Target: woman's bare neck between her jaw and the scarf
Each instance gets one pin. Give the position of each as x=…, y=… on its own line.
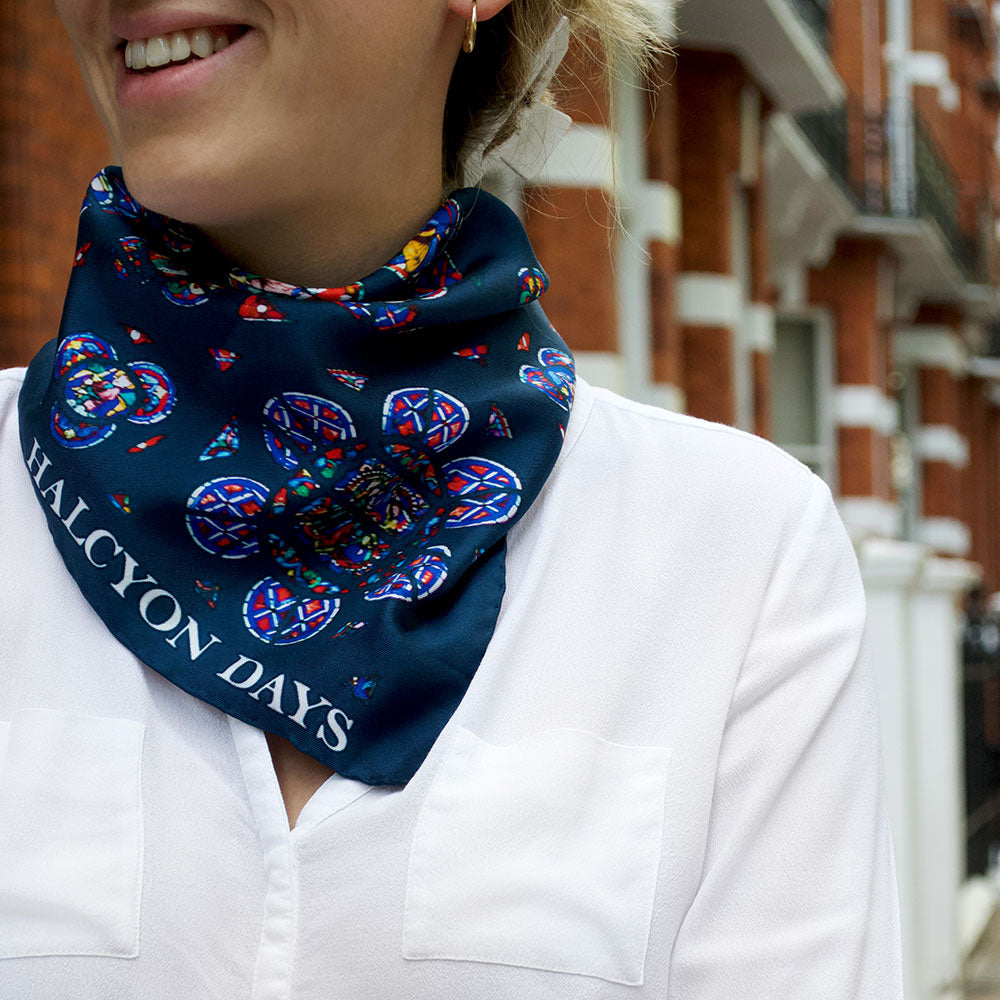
x=337, y=237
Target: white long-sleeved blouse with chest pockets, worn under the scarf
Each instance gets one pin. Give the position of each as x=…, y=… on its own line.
x=665, y=780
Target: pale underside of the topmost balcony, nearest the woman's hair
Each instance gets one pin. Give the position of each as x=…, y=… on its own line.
x=784, y=44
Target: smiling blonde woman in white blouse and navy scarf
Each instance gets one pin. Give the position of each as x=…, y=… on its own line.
x=356, y=648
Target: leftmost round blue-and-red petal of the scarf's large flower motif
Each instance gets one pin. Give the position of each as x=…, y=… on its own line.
x=223, y=514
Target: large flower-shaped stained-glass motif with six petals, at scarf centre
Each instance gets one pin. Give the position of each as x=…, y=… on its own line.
x=348, y=519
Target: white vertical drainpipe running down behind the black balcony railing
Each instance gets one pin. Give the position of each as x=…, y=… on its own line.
x=902, y=187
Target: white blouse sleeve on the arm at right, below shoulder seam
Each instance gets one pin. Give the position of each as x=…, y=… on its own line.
x=798, y=898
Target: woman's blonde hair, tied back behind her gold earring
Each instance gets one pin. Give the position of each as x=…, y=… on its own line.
x=622, y=36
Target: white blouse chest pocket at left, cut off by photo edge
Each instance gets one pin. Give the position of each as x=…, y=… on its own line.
x=70, y=835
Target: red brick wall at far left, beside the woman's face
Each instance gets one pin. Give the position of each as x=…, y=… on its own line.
x=52, y=145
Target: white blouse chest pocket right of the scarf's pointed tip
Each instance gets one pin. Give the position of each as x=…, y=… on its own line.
x=543, y=854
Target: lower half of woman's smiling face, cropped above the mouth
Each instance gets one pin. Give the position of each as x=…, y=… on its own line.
x=320, y=99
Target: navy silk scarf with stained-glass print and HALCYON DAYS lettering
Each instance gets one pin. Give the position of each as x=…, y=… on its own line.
x=293, y=502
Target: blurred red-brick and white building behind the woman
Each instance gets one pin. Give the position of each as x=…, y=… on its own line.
x=811, y=198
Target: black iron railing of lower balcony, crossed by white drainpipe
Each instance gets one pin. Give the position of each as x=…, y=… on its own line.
x=889, y=164
